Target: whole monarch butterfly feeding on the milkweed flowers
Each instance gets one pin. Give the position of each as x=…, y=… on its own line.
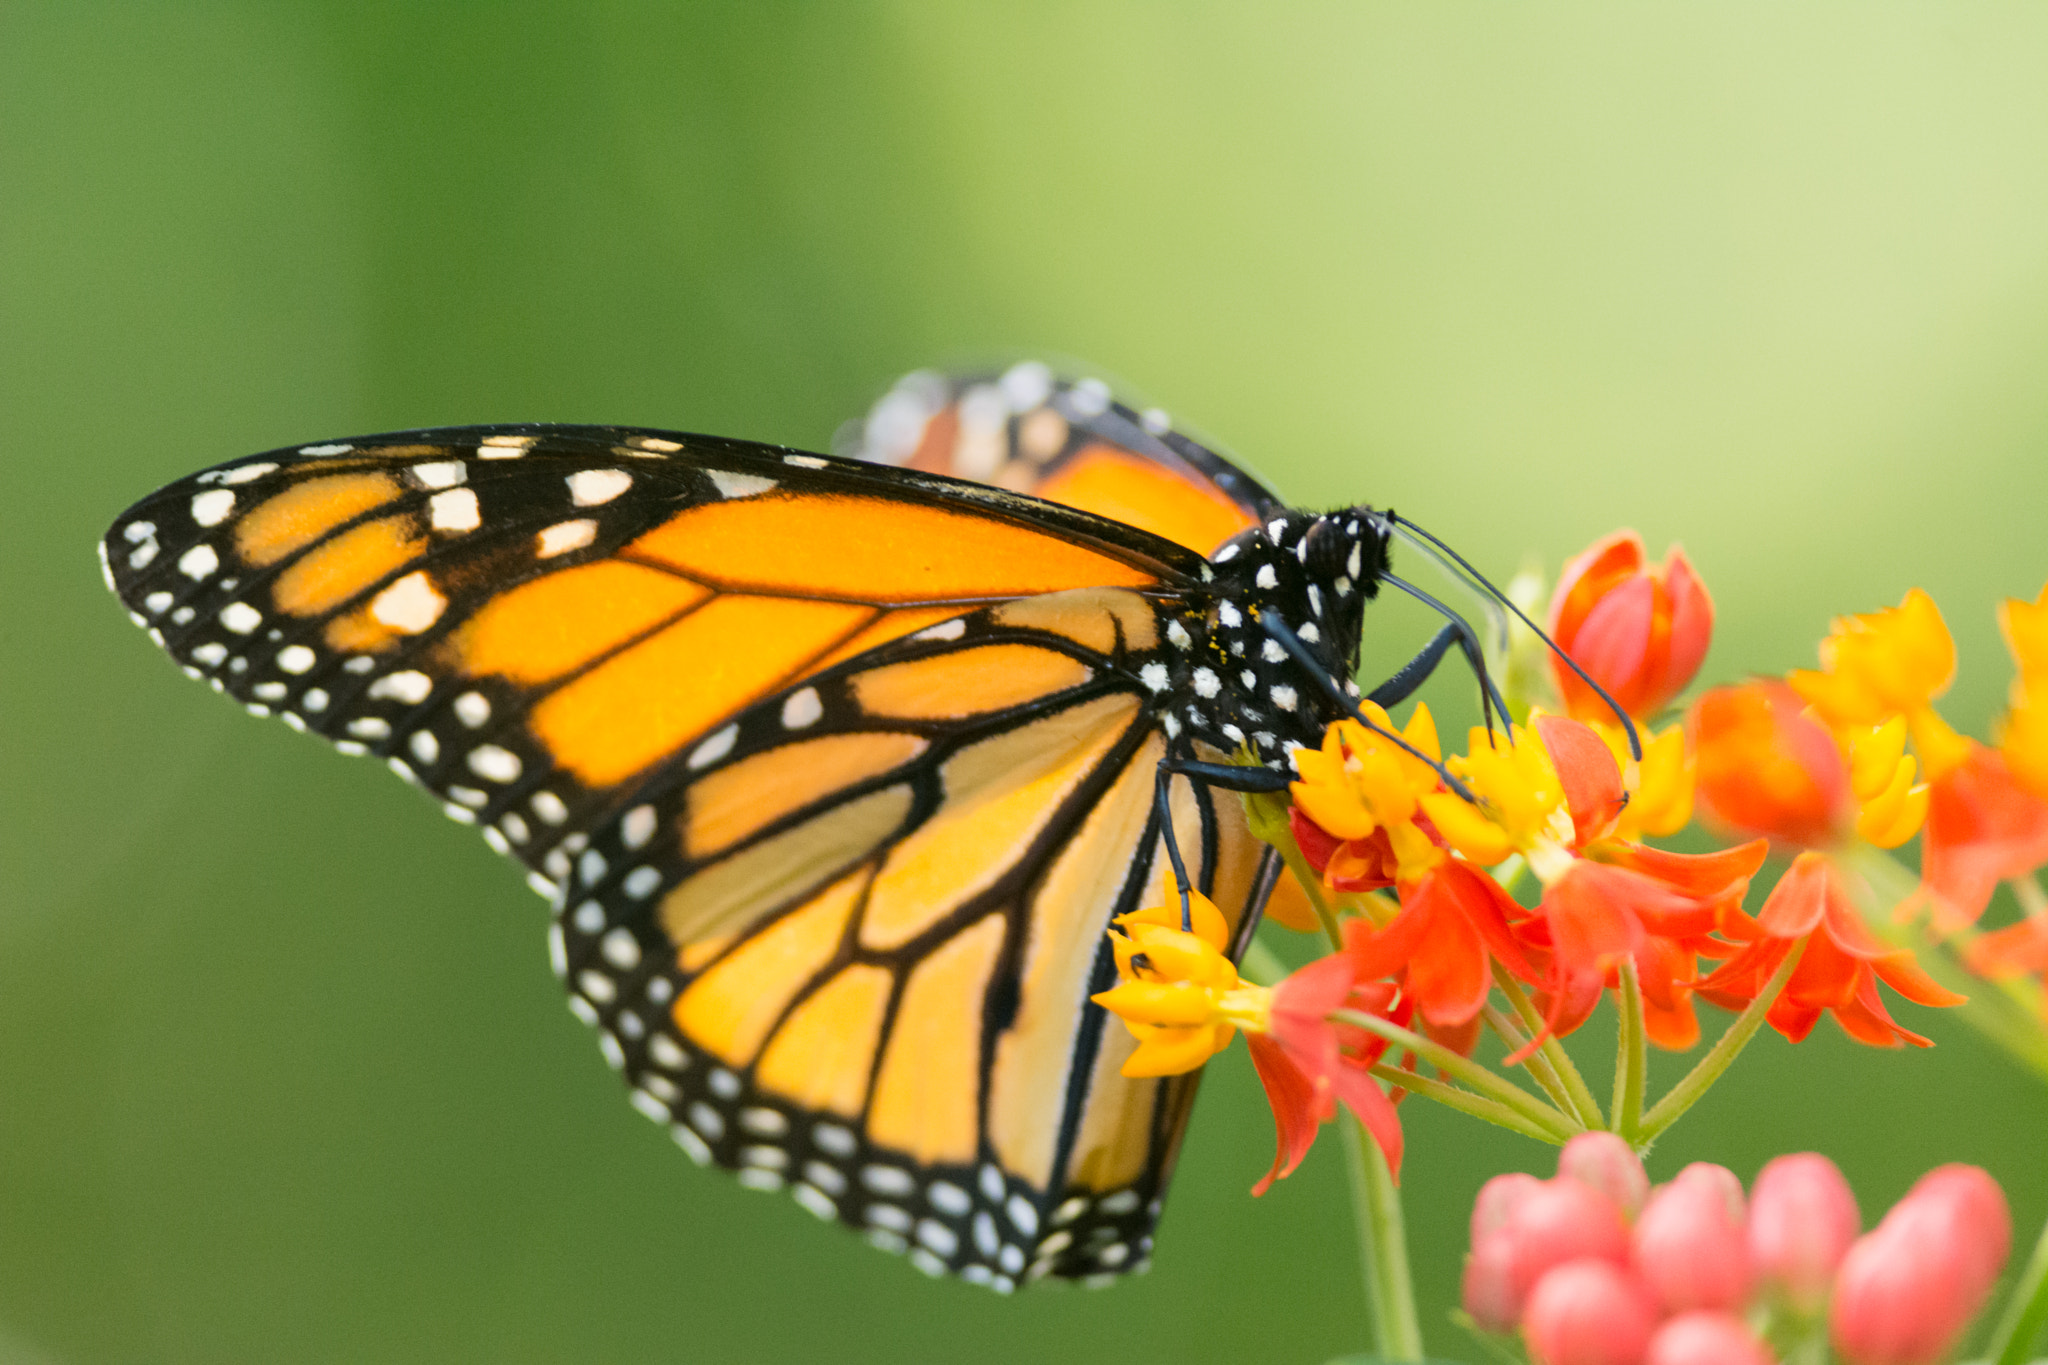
x=835, y=770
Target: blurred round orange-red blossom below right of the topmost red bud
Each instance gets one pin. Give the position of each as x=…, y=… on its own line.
x=1766, y=768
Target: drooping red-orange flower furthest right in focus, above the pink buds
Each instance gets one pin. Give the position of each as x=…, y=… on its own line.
x=1840, y=969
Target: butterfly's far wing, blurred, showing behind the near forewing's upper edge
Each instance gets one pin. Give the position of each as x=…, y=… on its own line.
x=1066, y=441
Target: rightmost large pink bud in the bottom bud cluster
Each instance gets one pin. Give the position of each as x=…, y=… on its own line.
x=1908, y=1290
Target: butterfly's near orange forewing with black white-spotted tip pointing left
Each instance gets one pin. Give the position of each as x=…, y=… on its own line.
x=527, y=621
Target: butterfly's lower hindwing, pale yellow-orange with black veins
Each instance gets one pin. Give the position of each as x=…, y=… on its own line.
x=882, y=1002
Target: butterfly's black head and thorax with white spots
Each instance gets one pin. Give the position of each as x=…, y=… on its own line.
x=1232, y=682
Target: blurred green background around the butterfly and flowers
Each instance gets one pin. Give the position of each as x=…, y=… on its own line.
x=284, y=1073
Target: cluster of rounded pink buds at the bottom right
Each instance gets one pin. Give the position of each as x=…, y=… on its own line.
x=1594, y=1268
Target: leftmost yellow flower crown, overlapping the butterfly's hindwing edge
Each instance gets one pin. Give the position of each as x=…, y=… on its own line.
x=1177, y=992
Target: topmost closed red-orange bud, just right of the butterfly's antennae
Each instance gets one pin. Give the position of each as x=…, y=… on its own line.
x=1637, y=629
